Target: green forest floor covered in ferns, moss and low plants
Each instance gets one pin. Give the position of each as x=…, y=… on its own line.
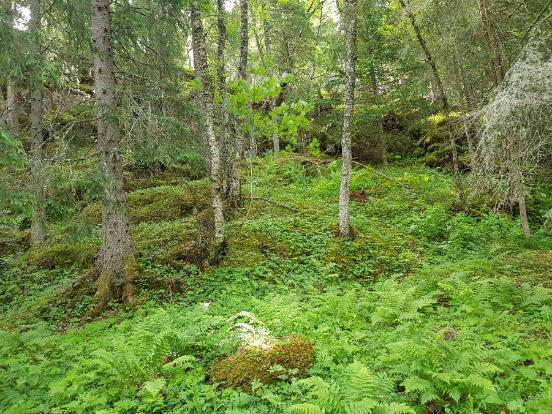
x=430, y=309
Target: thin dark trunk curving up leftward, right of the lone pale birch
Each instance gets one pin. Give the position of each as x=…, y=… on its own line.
x=443, y=99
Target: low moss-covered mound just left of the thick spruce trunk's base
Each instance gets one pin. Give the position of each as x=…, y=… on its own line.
x=57, y=255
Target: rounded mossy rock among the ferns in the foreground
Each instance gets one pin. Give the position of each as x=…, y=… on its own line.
x=292, y=356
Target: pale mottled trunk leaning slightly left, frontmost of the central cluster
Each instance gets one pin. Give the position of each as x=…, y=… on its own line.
x=202, y=71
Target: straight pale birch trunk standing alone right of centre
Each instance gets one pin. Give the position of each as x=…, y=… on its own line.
x=345, y=230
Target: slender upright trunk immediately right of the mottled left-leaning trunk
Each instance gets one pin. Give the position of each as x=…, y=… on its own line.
x=227, y=147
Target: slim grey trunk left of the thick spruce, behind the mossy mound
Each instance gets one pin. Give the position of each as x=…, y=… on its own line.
x=38, y=223
